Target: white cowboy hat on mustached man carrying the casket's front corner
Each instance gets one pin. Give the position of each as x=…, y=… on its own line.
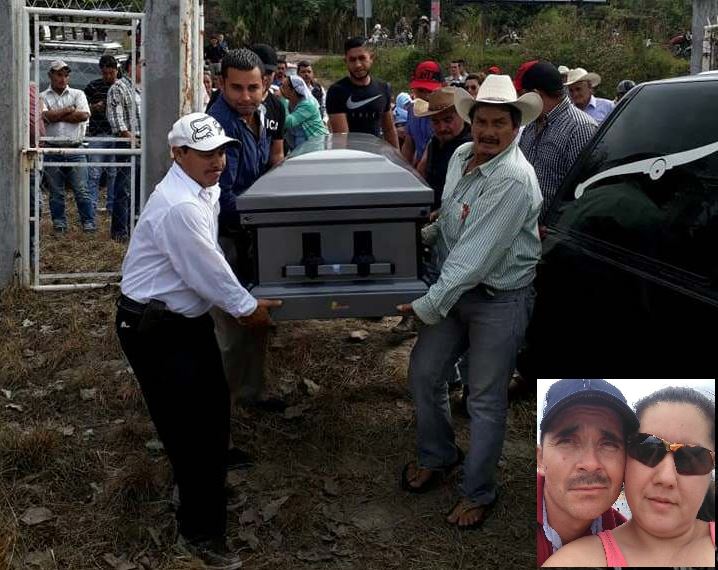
x=499, y=90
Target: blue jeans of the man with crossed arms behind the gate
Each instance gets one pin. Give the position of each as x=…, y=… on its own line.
x=57, y=178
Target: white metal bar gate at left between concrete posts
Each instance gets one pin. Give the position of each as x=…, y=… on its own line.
x=73, y=260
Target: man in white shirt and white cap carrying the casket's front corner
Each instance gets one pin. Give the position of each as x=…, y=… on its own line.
x=173, y=273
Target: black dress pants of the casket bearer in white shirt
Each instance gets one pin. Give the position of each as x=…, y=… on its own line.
x=179, y=369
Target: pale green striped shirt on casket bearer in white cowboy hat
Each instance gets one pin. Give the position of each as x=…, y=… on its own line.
x=486, y=232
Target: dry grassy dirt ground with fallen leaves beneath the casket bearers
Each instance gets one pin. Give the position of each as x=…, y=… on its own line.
x=84, y=483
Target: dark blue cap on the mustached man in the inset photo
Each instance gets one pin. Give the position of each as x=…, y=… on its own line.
x=597, y=392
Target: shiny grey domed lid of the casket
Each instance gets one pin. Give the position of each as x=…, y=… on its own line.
x=338, y=171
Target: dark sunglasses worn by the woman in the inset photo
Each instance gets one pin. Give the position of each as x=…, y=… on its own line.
x=651, y=449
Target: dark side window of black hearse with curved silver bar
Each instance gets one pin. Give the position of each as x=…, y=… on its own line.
x=650, y=185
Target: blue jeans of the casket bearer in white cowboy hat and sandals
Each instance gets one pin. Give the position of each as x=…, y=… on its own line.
x=491, y=327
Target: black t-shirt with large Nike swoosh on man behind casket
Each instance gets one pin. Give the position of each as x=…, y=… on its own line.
x=364, y=106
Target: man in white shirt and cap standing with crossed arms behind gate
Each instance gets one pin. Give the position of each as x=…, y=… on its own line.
x=66, y=114
